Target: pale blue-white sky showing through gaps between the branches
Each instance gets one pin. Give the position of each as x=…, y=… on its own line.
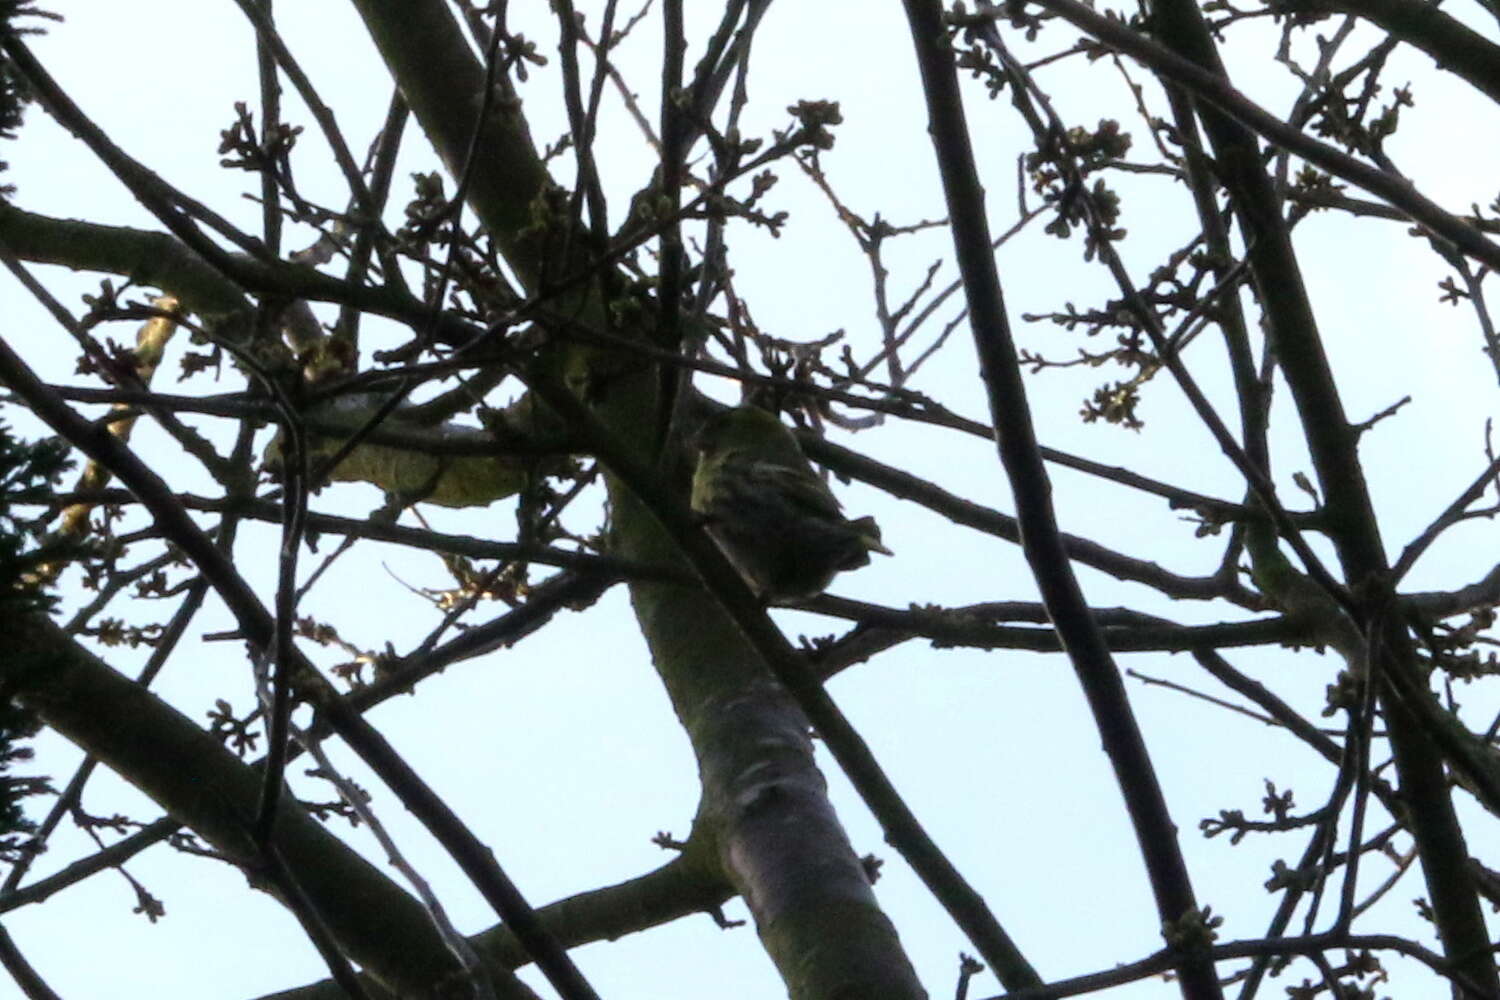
x=563, y=753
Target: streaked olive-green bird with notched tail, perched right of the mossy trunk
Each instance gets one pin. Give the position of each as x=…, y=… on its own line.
x=769, y=510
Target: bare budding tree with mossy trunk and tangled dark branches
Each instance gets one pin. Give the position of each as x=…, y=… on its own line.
x=532, y=331
